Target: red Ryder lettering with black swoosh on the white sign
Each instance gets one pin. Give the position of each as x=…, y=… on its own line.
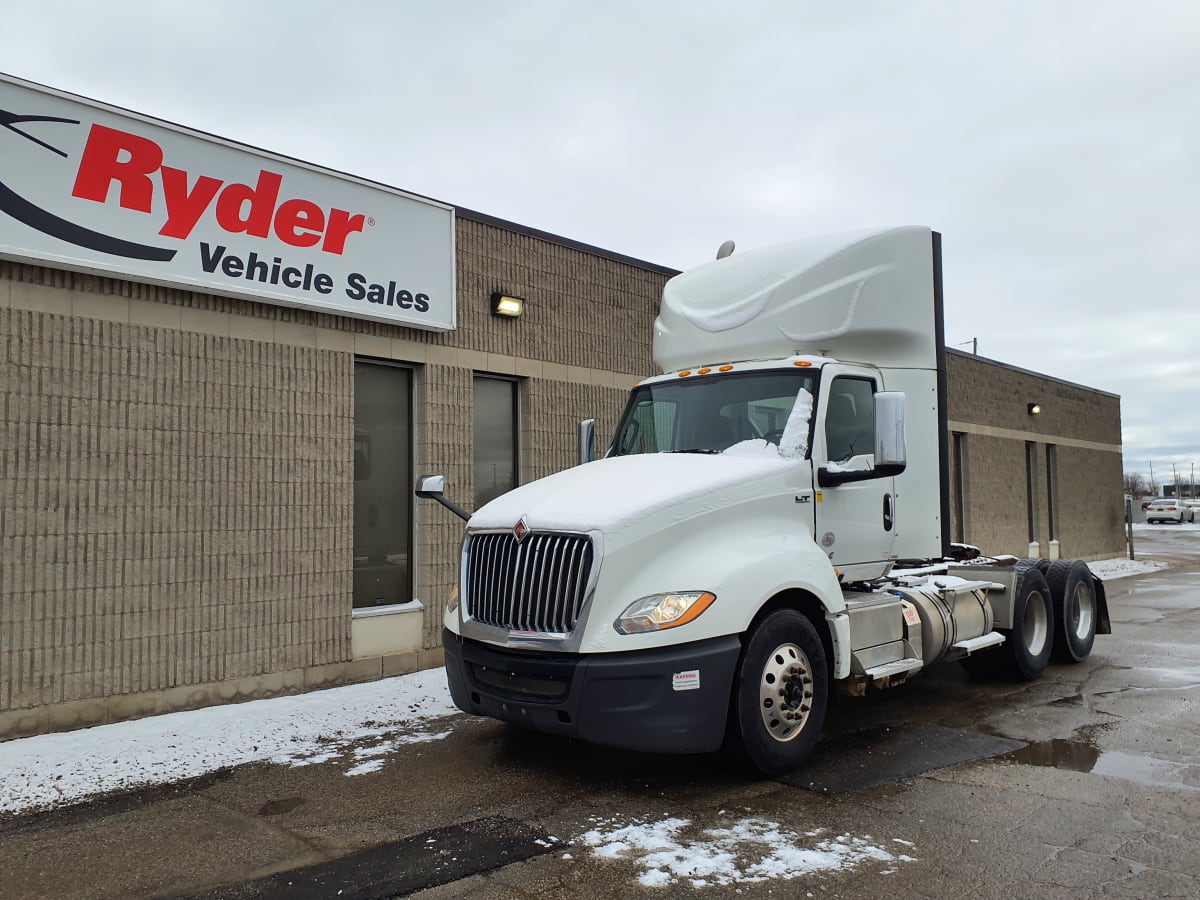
x=136, y=167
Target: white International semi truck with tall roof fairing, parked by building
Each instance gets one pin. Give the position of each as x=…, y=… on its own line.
x=770, y=523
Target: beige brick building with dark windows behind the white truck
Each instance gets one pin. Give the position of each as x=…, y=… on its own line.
x=207, y=499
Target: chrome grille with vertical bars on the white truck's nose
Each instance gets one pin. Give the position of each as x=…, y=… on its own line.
x=536, y=585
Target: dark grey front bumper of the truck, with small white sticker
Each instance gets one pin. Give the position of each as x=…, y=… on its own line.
x=669, y=700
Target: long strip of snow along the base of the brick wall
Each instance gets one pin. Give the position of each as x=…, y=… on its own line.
x=359, y=724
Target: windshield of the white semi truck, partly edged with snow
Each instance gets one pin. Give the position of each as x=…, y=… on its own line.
x=711, y=413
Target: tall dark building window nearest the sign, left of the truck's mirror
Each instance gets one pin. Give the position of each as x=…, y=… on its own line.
x=383, y=476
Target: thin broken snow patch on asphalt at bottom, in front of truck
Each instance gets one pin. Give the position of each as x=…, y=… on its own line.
x=671, y=851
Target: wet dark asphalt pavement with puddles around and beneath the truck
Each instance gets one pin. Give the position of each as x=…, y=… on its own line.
x=1083, y=784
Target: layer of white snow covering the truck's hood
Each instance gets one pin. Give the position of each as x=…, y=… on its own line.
x=611, y=494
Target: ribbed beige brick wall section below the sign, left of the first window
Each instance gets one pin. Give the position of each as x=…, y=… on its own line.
x=176, y=508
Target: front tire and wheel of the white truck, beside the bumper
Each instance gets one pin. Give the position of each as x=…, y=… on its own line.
x=781, y=694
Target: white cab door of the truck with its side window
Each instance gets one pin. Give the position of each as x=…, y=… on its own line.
x=855, y=521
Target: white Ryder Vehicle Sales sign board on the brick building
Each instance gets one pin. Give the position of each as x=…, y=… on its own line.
x=94, y=189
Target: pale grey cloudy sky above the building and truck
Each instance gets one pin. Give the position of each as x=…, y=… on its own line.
x=1054, y=145
